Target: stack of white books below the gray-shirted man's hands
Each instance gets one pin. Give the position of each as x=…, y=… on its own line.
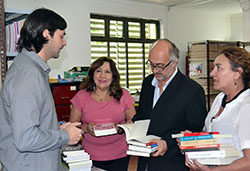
x=76, y=159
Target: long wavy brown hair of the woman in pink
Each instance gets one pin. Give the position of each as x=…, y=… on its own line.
x=115, y=89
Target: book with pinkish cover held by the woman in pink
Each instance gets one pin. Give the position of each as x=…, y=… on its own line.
x=104, y=129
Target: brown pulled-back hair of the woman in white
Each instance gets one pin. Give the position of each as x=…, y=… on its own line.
x=239, y=58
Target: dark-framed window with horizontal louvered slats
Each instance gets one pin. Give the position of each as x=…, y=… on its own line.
x=127, y=42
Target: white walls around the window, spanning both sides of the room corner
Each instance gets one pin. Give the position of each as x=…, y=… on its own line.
x=179, y=25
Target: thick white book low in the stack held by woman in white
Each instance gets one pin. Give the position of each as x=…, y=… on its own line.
x=221, y=153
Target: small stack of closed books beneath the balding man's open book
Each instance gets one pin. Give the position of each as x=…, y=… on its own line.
x=142, y=149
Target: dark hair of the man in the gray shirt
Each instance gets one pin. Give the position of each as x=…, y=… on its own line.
x=31, y=36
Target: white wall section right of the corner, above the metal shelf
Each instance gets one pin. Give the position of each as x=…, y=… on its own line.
x=189, y=25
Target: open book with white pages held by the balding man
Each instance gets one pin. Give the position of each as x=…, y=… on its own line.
x=136, y=133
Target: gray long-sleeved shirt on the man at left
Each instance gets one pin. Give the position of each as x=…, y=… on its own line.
x=29, y=135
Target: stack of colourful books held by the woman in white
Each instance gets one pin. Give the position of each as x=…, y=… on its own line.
x=209, y=148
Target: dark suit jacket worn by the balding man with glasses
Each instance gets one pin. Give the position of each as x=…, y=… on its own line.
x=182, y=106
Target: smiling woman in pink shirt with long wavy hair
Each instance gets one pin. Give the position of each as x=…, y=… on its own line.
x=102, y=100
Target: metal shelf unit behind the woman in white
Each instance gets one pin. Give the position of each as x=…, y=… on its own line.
x=200, y=58
